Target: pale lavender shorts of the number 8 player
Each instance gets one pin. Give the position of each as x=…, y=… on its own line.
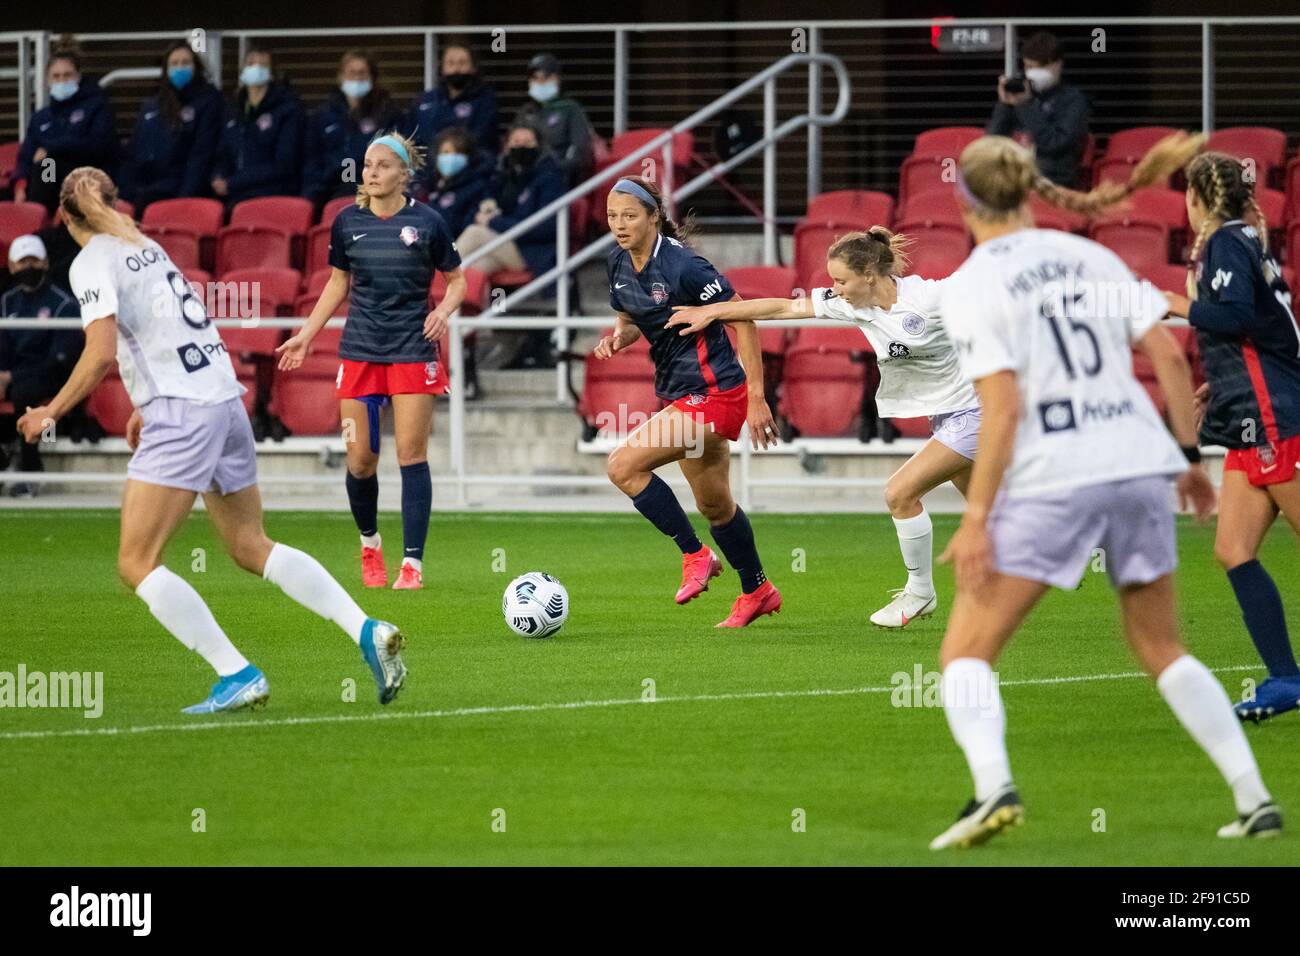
x=201, y=448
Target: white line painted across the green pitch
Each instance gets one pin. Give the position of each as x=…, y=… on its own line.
x=532, y=708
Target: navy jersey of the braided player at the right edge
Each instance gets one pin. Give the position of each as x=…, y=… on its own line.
x=1249, y=340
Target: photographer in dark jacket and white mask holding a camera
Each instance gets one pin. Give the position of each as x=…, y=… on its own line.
x=1048, y=115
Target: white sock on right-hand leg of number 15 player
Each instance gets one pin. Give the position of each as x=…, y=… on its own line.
x=1203, y=707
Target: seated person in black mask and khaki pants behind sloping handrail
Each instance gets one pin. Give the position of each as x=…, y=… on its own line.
x=527, y=180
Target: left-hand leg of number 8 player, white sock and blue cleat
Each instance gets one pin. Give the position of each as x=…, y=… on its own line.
x=150, y=517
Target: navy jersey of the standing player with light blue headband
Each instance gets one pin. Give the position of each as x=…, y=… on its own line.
x=392, y=262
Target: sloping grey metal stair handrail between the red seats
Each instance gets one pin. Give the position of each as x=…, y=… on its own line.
x=560, y=209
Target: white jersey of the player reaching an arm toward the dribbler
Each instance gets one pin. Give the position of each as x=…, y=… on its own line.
x=920, y=373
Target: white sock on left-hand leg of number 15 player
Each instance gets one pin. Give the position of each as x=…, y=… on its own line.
x=974, y=710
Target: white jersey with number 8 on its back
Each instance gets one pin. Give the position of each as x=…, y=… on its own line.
x=166, y=343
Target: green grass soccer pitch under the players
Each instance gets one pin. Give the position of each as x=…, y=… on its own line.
x=721, y=769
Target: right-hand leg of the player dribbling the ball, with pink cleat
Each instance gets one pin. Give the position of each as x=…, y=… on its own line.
x=709, y=473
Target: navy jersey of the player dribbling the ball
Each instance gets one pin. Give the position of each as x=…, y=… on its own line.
x=677, y=276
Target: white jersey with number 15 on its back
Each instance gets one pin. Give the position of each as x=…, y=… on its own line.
x=1061, y=313
